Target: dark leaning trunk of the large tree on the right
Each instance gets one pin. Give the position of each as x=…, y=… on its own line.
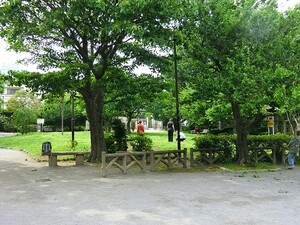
x=242, y=143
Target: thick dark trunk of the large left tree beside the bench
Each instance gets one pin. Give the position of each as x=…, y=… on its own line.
x=94, y=107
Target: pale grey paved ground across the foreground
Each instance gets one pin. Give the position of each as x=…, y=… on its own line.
x=34, y=194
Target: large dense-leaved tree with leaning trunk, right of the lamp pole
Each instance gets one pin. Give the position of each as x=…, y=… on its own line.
x=231, y=58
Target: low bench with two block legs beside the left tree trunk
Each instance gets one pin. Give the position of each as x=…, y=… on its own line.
x=52, y=156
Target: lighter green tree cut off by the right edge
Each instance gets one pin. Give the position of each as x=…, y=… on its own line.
x=288, y=94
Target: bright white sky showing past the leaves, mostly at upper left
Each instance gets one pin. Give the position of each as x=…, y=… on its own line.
x=7, y=57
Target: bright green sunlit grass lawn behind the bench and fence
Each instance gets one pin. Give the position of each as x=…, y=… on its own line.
x=32, y=142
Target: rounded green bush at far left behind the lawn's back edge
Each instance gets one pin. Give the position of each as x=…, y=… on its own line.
x=23, y=118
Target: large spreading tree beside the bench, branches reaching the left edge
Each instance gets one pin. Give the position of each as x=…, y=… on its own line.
x=86, y=41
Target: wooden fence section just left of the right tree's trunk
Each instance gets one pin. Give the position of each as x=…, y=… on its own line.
x=209, y=155
